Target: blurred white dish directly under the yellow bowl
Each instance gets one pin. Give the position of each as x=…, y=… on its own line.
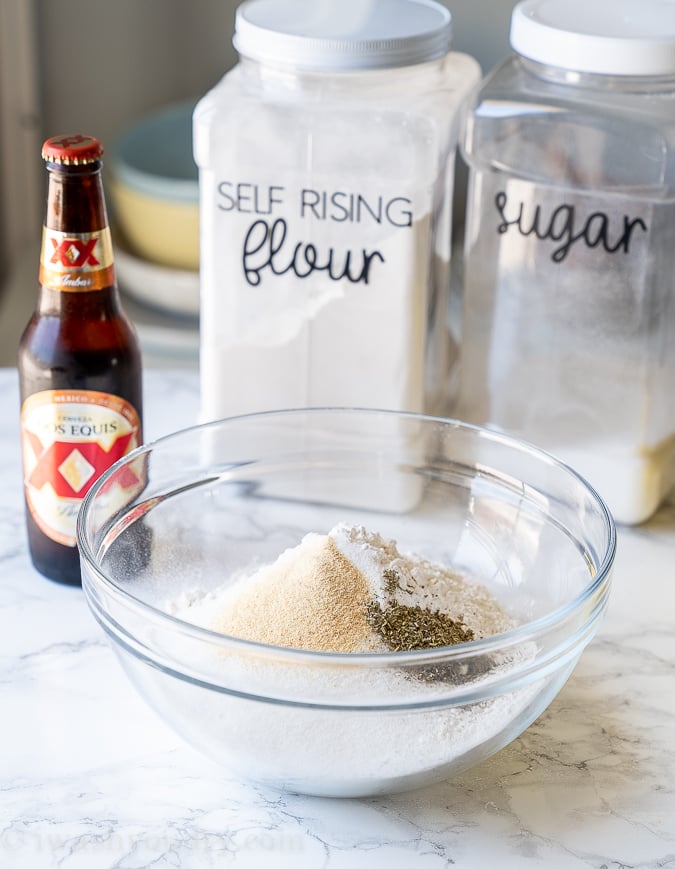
x=173, y=290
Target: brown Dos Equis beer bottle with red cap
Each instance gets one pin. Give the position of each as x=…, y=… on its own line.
x=79, y=360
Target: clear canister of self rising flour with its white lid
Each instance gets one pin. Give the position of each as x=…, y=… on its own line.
x=326, y=163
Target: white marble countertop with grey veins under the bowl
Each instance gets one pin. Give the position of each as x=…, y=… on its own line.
x=90, y=777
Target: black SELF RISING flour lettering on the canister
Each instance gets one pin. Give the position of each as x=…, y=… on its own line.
x=269, y=246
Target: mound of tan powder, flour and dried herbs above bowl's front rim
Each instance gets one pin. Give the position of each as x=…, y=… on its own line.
x=351, y=591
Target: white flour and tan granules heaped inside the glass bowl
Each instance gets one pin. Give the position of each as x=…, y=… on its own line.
x=343, y=750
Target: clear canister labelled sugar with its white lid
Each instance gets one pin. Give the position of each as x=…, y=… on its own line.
x=569, y=266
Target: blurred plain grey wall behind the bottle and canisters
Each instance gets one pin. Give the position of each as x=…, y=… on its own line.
x=101, y=65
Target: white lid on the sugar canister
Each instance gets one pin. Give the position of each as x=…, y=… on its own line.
x=610, y=37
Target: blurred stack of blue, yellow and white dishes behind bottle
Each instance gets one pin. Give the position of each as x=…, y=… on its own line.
x=154, y=194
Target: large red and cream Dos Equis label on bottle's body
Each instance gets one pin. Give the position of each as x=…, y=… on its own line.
x=70, y=437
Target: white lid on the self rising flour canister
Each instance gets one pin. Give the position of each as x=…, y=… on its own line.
x=342, y=34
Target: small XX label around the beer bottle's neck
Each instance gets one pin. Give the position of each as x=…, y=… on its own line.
x=76, y=262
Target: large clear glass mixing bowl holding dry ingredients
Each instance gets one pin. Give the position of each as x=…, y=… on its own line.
x=222, y=498
